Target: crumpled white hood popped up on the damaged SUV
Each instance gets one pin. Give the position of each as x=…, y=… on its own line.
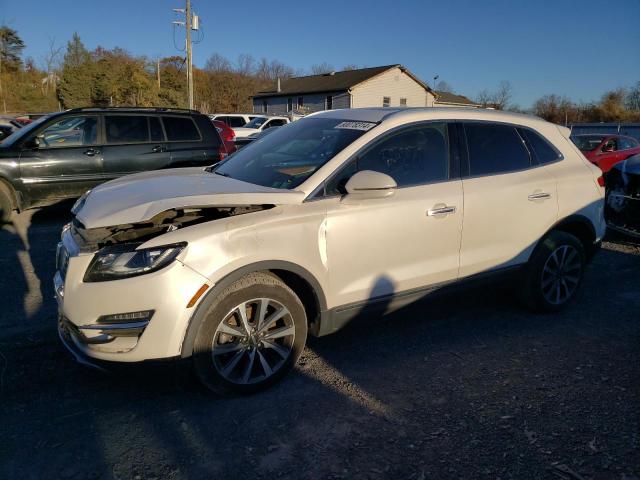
x=137, y=198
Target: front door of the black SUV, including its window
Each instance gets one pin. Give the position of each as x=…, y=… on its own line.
x=68, y=160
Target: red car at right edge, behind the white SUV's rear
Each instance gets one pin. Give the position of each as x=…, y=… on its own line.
x=606, y=150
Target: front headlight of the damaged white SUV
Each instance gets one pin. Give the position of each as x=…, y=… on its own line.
x=124, y=261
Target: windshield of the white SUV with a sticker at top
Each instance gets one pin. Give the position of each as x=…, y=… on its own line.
x=291, y=154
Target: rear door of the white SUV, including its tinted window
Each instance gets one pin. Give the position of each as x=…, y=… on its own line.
x=509, y=201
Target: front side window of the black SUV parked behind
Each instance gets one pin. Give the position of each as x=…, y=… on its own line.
x=73, y=131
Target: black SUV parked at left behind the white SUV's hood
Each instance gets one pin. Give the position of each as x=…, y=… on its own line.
x=64, y=154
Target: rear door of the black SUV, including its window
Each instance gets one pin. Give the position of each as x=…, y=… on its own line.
x=133, y=143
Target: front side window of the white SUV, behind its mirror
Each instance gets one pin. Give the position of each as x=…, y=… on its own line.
x=413, y=156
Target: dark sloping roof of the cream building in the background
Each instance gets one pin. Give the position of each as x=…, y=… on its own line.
x=330, y=82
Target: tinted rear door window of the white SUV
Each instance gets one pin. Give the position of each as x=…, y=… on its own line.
x=495, y=149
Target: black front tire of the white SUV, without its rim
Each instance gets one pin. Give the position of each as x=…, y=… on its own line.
x=202, y=361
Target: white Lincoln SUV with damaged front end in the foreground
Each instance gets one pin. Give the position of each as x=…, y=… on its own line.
x=323, y=221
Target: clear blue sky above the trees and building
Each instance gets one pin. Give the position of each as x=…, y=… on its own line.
x=579, y=48
